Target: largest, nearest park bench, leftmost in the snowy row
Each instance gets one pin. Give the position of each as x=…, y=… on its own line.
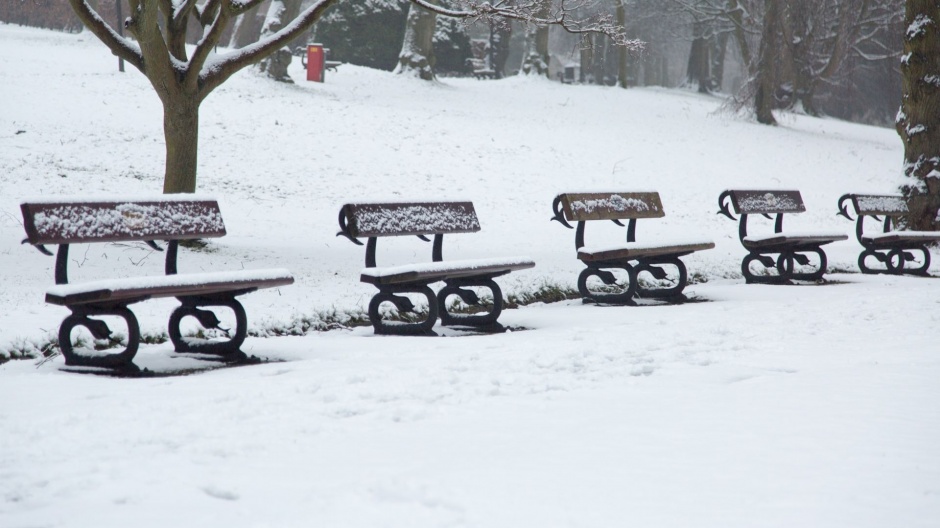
x=170, y=218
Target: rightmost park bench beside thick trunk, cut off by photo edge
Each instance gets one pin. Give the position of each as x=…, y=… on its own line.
x=893, y=248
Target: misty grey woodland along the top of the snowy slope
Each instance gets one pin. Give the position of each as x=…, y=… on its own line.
x=821, y=57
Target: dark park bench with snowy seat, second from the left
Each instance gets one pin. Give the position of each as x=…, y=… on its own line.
x=374, y=220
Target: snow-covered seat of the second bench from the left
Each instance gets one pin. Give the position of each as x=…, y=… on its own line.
x=437, y=271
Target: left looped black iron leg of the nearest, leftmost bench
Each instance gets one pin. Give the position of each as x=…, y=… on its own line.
x=99, y=329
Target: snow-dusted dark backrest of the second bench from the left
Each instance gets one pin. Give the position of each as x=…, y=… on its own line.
x=403, y=218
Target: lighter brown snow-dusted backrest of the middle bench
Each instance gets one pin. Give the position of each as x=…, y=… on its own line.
x=611, y=206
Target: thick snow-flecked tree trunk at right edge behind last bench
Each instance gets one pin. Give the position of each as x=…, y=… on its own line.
x=918, y=120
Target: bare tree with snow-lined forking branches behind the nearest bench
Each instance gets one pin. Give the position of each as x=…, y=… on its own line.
x=183, y=79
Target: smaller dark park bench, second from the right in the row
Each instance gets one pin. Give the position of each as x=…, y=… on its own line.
x=791, y=247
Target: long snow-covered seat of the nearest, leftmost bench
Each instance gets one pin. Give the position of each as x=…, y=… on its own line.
x=141, y=288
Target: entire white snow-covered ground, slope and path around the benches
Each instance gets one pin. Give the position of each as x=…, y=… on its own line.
x=782, y=406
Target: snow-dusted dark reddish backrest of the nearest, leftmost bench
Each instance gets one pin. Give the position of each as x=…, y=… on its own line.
x=69, y=221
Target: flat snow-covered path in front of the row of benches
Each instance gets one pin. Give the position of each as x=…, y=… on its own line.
x=766, y=406
